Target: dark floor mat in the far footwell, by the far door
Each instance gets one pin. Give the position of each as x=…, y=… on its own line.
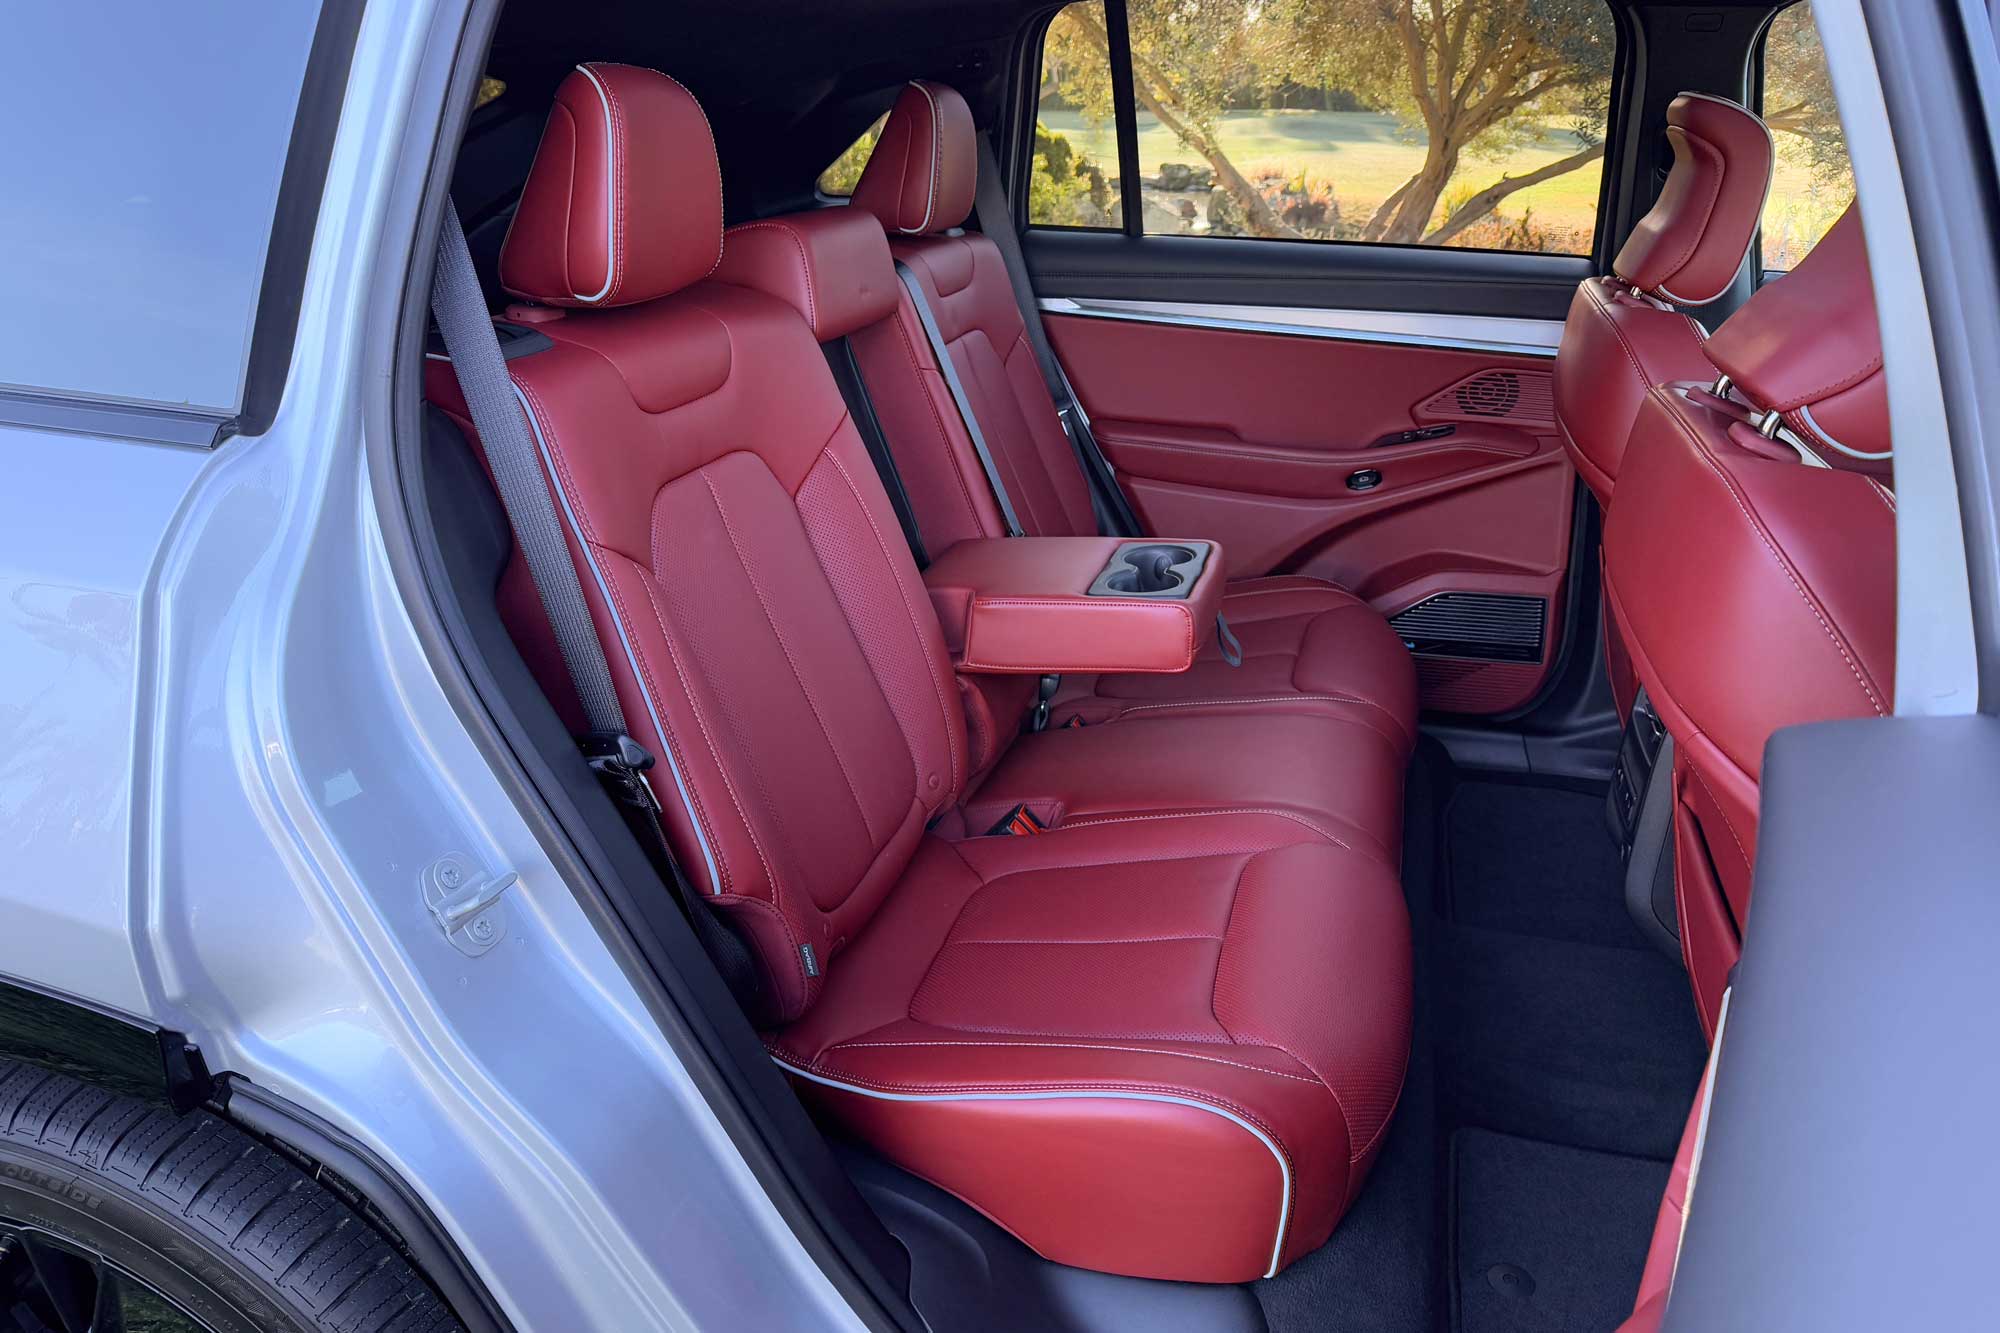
x=1537, y=862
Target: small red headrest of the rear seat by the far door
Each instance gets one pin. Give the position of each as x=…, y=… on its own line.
x=923, y=173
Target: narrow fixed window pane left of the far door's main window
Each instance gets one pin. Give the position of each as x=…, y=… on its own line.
x=1075, y=179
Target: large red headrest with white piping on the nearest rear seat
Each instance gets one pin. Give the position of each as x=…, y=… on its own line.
x=625, y=197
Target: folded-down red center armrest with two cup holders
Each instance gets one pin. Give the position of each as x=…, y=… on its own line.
x=1037, y=605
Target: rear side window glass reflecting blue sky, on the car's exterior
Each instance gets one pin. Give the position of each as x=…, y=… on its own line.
x=141, y=199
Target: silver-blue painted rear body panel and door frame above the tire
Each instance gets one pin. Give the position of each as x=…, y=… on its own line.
x=225, y=768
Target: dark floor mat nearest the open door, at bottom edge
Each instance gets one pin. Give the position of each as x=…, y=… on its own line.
x=1547, y=1238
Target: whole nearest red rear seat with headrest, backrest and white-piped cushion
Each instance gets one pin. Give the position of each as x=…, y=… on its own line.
x=1161, y=1044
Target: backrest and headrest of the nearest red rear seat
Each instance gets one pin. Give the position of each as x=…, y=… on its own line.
x=771, y=633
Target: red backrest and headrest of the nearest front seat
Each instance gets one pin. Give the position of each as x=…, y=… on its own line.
x=1753, y=589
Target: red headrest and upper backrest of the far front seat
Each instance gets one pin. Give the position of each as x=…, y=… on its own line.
x=1625, y=335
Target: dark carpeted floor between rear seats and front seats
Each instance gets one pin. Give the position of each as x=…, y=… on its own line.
x=1553, y=1070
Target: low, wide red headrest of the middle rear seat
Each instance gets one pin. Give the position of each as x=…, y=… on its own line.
x=831, y=265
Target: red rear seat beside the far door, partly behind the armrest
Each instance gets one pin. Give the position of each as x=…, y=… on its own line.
x=1301, y=637
